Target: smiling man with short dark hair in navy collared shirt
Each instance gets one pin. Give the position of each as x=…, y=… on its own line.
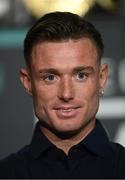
x=65, y=78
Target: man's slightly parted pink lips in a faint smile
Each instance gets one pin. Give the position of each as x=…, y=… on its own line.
x=64, y=112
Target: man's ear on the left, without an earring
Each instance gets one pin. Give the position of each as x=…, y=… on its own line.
x=26, y=80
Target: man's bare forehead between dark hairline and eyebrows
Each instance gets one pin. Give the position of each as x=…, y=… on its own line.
x=69, y=52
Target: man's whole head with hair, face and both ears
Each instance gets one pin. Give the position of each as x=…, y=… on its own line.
x=64, y=74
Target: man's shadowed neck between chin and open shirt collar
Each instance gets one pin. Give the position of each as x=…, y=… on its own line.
x=65, y=144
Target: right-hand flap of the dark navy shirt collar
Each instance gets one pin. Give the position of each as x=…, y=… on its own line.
x=97, y=141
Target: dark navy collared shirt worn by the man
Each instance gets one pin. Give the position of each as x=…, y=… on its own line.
x=94, y=157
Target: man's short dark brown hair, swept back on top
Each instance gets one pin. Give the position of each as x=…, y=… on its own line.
x=59, y=26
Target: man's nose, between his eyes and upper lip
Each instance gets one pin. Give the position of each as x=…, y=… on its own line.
x=66, y=90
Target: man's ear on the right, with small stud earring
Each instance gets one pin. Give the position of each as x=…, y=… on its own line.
x=103, y=76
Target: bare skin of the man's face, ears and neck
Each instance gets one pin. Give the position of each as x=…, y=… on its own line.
x=65, y=81
